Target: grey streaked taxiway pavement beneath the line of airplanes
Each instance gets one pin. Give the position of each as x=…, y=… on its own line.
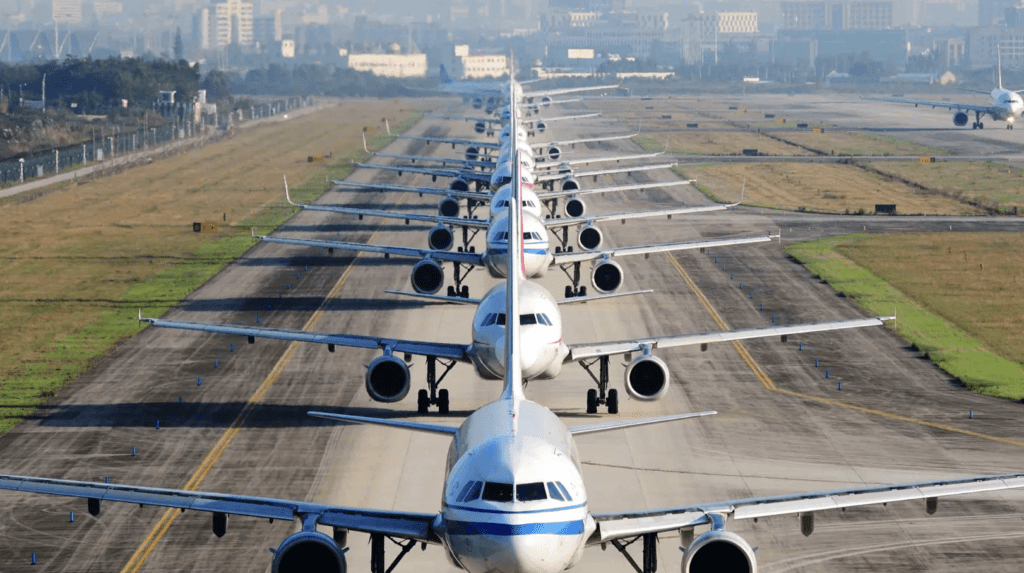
x=783, y=426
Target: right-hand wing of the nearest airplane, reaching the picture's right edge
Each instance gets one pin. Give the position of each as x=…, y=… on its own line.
x=620, y=525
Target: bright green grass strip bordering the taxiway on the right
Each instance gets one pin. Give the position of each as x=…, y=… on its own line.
x=946, y=344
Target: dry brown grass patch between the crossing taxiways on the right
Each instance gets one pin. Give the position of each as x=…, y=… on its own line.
x=834, y=189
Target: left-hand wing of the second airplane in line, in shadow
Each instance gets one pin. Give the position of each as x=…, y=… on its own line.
x=458, y=352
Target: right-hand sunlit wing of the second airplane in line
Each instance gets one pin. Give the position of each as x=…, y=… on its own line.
x=582, y=351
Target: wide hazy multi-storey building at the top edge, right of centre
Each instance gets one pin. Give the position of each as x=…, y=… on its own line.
x=851, y=15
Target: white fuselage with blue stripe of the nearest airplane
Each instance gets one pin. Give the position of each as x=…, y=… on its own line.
x=515, y=501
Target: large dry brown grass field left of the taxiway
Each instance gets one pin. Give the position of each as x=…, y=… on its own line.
x=68, y=258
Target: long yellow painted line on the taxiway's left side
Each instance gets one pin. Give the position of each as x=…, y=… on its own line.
x=159, y=531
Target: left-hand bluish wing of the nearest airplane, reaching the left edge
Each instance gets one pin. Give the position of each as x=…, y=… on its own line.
x=399, y=524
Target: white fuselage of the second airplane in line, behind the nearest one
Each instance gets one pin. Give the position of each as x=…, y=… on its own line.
x=542, y=349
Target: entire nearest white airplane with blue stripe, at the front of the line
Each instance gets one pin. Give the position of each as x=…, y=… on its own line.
x=514, y=500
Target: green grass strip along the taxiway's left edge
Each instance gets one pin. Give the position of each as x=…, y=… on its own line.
x=66, y=357
